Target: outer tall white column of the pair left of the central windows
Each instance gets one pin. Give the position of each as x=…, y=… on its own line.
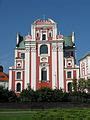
x=27, y=68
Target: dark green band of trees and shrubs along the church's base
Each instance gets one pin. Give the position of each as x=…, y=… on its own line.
x=45, y=95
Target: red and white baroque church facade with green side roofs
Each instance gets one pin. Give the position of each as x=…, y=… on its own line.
x=44, y=58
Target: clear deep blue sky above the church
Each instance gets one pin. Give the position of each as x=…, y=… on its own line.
x=18, y=15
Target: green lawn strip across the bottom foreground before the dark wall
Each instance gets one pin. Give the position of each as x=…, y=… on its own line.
x=49, y=114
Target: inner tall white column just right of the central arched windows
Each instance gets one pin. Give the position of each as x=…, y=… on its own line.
x=54, y=65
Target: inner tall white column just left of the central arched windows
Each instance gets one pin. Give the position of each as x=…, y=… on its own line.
x=33, y=67
